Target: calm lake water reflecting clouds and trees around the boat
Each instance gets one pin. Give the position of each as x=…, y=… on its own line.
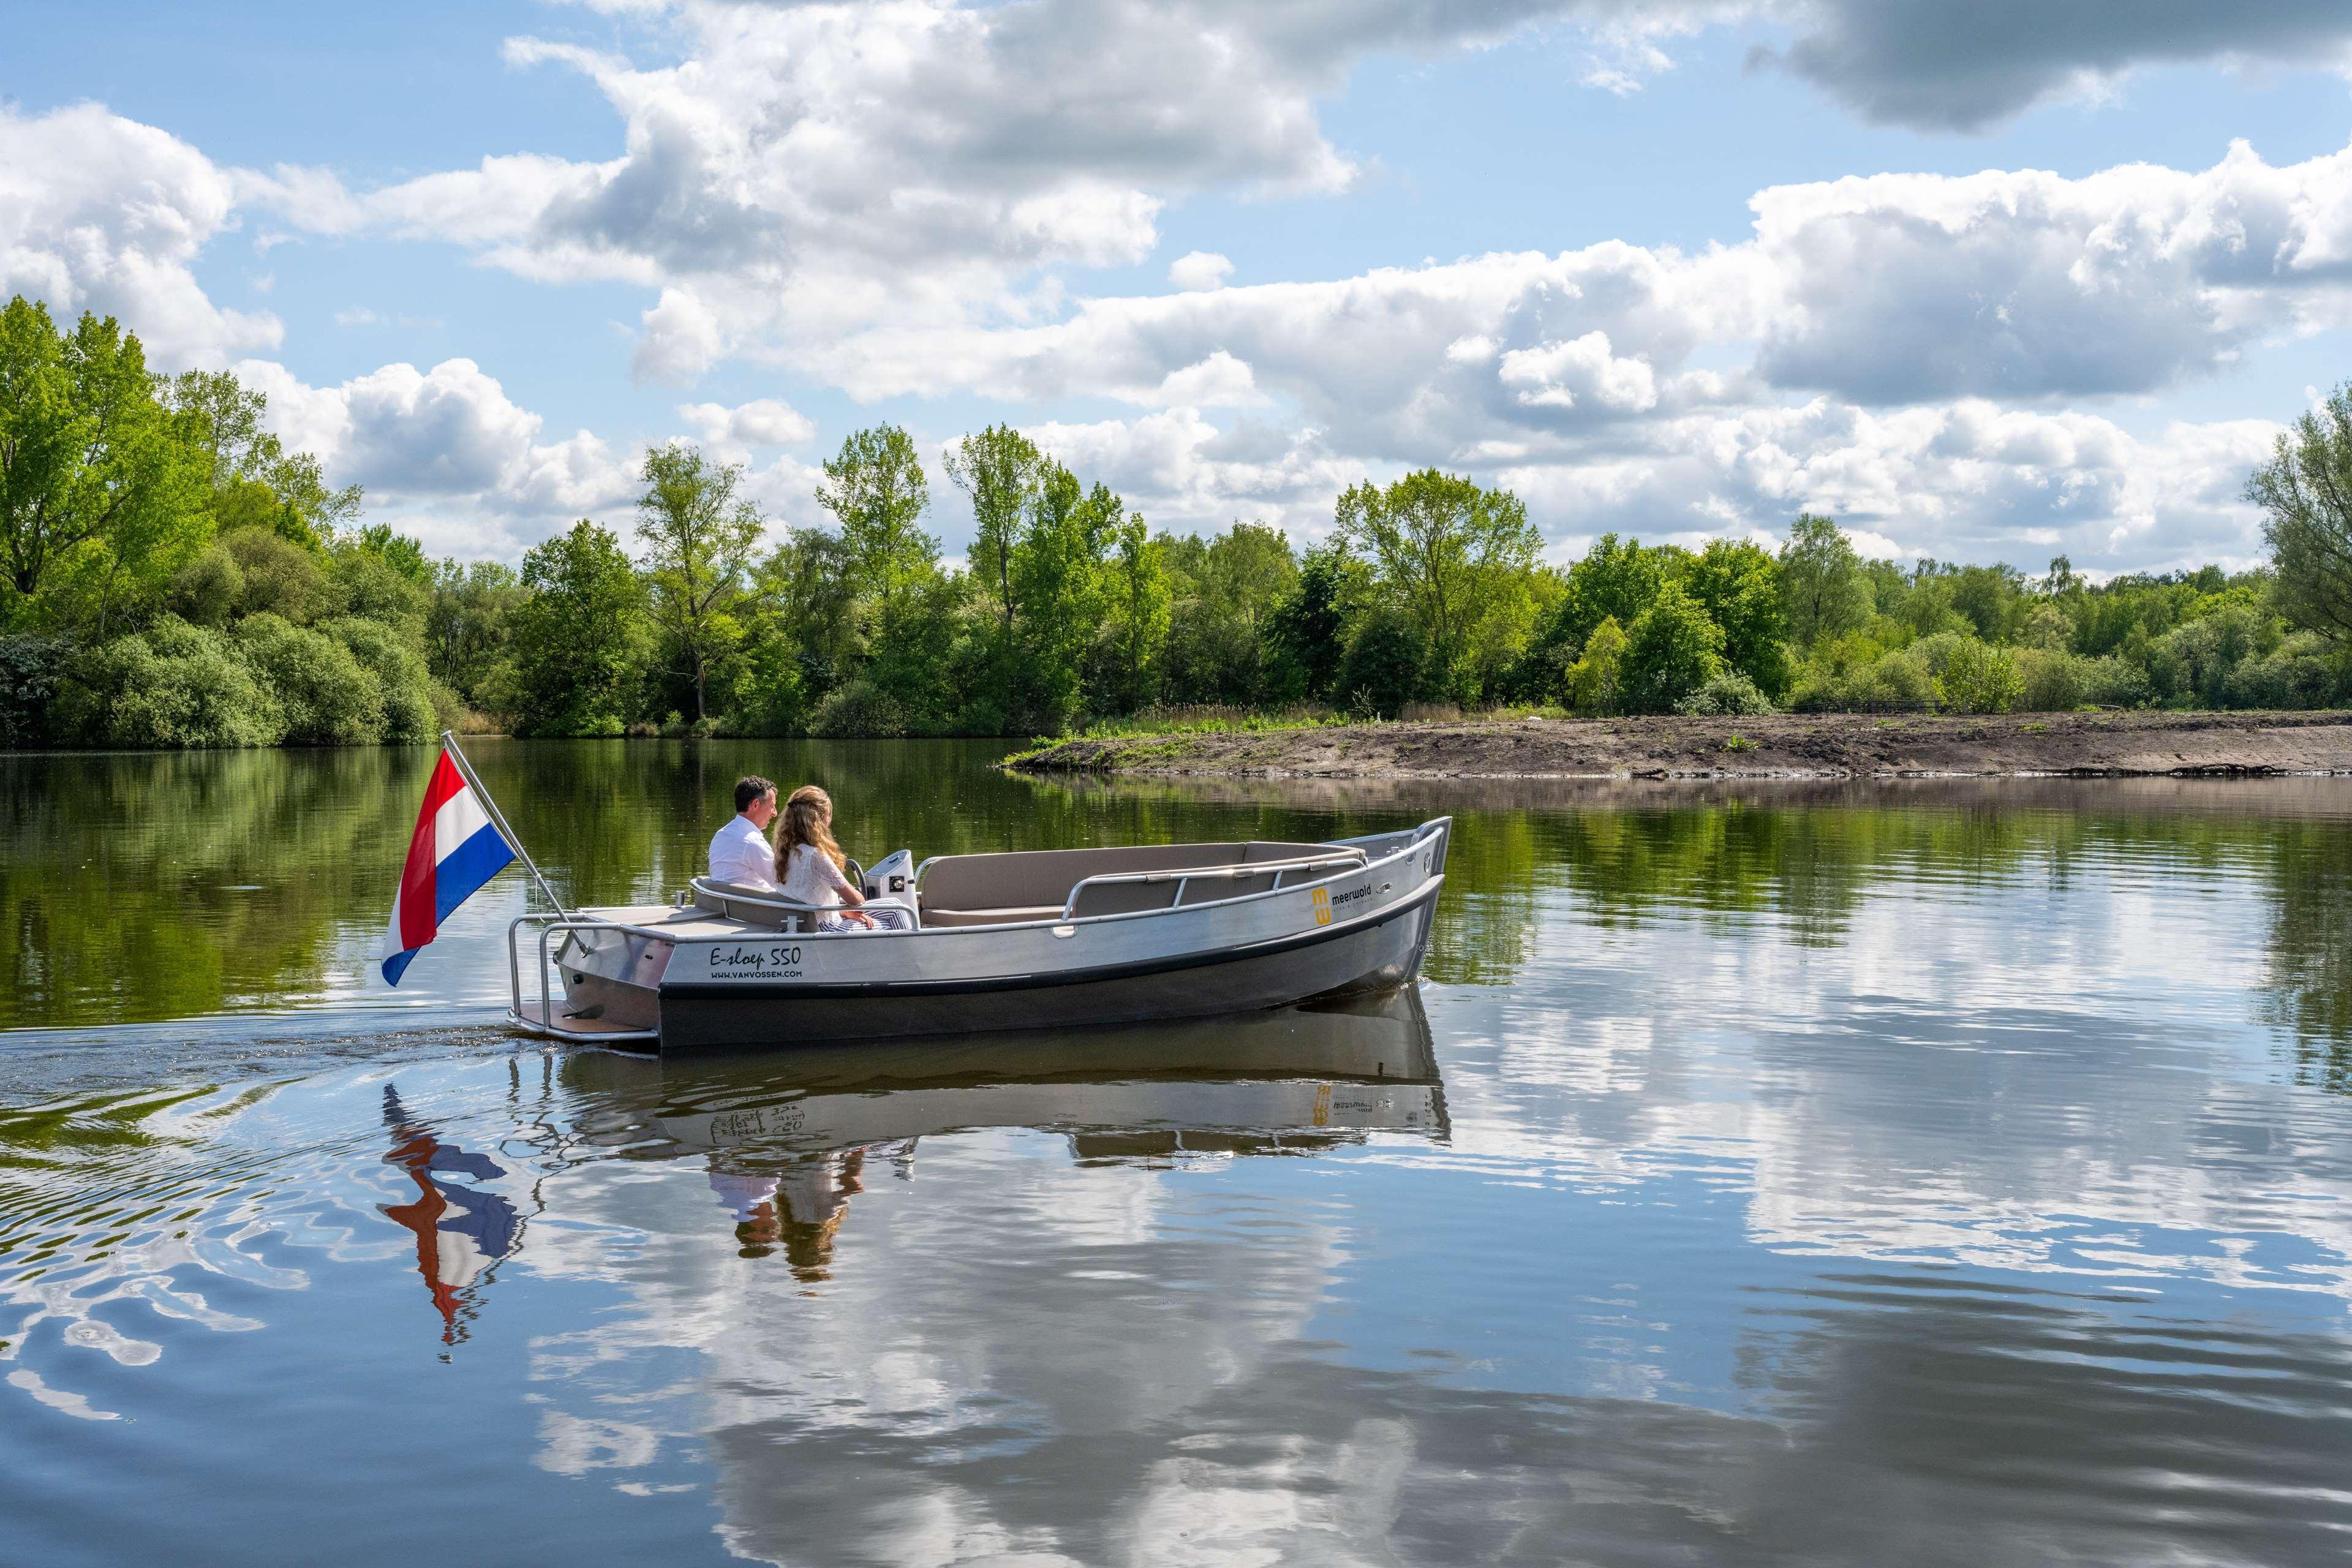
x=1831, y=1174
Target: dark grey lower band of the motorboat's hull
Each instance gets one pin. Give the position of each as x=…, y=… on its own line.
x=1365, y=958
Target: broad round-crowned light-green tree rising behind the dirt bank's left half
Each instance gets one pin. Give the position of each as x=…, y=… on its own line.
x=1448, y=551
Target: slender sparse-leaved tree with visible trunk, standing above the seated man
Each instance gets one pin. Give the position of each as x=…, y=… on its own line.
x=700, y=535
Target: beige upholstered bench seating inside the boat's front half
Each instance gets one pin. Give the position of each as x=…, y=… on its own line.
x=1036, y=885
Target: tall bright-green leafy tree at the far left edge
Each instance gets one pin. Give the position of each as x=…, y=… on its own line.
x=100, y=490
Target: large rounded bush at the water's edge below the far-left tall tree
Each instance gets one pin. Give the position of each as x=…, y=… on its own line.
x=168, y=688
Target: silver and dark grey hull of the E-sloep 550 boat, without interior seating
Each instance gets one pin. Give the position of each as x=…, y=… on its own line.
x=695, y=979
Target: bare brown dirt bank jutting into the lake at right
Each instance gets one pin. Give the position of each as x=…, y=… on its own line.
x=1777, y=746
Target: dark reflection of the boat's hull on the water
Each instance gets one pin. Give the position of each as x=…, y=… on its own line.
x=1281, y=1083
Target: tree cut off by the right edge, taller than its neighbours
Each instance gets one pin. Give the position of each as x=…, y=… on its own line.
x=2306, y=497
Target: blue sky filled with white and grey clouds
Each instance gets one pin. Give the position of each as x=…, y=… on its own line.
x=1591, y=250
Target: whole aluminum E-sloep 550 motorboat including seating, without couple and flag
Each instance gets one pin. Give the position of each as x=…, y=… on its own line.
x=996, y=942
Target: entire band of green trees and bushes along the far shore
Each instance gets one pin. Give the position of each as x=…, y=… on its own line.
x=173, y=577
